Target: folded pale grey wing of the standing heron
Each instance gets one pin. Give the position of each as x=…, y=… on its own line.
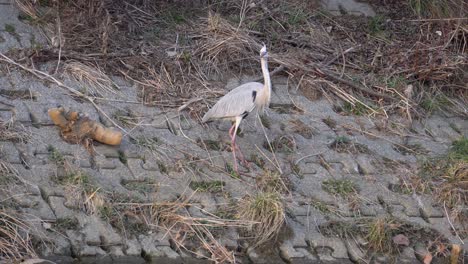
x=234, y=103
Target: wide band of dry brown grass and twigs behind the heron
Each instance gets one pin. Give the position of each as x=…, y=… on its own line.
x=182, y=62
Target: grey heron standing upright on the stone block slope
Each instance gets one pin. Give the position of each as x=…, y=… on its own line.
x=240, y=101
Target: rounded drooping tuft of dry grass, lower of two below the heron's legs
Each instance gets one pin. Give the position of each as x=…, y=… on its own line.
x=267, y=210
